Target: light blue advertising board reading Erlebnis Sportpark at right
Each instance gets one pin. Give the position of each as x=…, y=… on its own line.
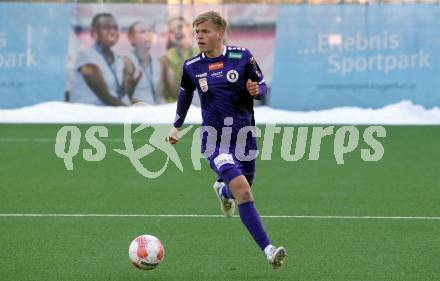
x=356, y=55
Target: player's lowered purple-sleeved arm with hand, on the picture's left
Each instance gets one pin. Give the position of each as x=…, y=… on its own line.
x=184, y=100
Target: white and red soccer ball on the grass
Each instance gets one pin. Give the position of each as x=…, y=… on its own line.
x=146, y=252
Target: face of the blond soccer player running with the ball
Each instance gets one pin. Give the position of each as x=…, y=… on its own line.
x=208, y=36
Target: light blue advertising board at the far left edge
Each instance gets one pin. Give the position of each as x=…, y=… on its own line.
x=33, y=52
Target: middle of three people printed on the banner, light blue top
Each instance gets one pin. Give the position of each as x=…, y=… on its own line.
x=142, y=62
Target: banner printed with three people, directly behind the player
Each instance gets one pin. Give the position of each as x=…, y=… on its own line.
x=140, y=57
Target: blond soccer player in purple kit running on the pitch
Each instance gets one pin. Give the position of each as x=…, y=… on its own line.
x=228, y=80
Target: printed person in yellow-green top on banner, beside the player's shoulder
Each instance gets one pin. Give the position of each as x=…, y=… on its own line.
x=179, y=48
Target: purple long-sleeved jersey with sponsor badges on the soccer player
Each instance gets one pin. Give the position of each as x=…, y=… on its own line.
x=221, y=84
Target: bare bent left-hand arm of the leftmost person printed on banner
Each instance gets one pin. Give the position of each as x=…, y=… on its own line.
x=93, y=77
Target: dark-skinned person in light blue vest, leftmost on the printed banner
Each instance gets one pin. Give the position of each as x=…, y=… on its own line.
x=101, y=76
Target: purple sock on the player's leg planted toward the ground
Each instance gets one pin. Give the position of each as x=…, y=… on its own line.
x=251, y=219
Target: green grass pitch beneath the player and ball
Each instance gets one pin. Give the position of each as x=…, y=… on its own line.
x=404, y=183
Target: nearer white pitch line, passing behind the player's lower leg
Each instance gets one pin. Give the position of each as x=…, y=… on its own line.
x=219, y=216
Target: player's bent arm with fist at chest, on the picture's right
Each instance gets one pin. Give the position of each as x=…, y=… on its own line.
x=255, y=83
